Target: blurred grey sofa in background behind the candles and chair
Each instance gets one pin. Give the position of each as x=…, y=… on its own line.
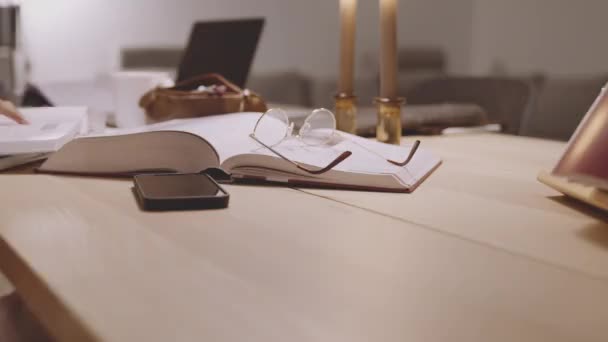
x=555, y=106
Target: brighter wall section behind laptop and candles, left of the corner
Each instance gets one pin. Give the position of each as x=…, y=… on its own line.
x=76, y=39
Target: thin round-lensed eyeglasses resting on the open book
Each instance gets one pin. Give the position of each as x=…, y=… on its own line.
x=319, y=128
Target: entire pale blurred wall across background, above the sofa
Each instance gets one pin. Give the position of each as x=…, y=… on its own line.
x=68, y=39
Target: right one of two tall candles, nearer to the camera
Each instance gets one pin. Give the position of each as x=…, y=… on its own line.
x=388, y=48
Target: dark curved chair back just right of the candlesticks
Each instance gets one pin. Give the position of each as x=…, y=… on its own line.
x=504, y=100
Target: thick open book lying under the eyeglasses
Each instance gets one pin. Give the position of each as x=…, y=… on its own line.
x=192, y=145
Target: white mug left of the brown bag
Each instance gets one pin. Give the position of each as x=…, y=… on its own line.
x=128, y=87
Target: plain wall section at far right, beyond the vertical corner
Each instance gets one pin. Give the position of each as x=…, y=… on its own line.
x=561, y=37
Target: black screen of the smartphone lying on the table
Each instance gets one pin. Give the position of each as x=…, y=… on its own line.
x=179, y=185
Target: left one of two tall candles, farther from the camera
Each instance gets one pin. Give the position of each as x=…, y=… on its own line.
x=348, y=13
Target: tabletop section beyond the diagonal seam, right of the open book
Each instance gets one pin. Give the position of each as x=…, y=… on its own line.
x=486, y=191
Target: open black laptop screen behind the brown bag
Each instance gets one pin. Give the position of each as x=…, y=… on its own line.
x=226, y=47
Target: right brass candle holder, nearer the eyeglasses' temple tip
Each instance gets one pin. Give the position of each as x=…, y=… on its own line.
x=388, y=129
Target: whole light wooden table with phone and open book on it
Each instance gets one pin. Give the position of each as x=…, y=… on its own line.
x=480, y=252
